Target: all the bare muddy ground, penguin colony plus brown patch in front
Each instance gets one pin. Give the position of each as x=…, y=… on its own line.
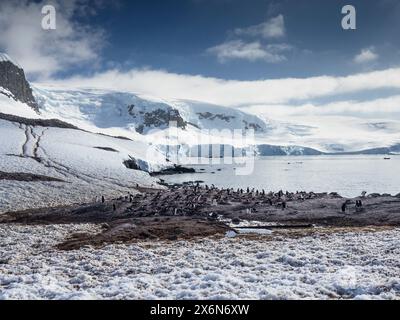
x=191, y=211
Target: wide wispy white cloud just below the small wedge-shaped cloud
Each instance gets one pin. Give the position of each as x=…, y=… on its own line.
x=252, y=51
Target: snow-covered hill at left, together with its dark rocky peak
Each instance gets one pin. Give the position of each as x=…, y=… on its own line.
x=46, y=161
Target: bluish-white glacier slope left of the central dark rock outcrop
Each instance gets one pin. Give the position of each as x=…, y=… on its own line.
x=96, y=110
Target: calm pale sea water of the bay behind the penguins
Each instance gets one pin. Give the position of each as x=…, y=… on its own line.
x=347, y=175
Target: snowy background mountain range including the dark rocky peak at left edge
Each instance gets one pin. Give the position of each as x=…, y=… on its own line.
x=143, y=118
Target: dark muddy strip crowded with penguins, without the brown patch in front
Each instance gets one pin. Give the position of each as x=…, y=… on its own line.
x=302, y=208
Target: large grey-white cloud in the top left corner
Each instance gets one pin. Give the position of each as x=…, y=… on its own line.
x=43, y=53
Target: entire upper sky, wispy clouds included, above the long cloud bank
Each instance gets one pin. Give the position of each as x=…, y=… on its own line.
x=189, y=37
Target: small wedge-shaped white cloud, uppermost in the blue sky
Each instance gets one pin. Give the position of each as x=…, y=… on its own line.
x=273, y=28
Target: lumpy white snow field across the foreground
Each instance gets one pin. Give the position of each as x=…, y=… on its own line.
x=336, y=266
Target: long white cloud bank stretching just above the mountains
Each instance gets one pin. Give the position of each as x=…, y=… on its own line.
x=235, y=93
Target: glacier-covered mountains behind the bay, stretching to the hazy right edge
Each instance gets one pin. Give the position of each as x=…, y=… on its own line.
x=137, y=116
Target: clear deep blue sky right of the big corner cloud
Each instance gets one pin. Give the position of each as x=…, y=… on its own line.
x=175, y=35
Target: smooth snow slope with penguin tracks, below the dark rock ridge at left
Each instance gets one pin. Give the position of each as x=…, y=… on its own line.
x=89, y=165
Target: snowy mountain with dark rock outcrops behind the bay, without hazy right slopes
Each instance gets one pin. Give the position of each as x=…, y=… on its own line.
x=131, y=114
